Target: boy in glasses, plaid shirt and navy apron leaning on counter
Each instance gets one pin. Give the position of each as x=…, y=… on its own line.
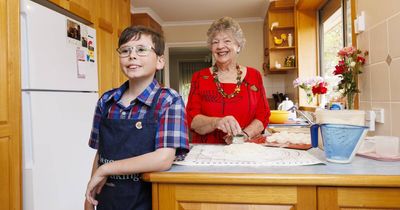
x=138, y=127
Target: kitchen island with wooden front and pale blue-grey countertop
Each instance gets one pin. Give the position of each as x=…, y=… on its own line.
x=362, y=184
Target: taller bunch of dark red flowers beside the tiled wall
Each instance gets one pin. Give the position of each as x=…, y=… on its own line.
x=349, y=67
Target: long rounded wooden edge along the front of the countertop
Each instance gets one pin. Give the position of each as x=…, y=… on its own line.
x=274, y=179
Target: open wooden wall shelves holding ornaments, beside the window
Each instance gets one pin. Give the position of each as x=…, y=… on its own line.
x=279, y=31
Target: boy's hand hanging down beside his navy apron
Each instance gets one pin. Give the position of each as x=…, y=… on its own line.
x=94, y=187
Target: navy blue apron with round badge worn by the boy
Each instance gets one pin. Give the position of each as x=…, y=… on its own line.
x=121, y=139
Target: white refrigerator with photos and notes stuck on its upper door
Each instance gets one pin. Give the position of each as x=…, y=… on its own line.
x=59, y=94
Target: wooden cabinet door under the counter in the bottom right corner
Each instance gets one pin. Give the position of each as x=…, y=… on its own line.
x=351, y=198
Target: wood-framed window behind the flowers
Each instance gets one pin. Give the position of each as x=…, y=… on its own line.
x=335, y=32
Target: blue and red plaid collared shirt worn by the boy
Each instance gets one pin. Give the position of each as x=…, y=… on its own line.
x=170, y=112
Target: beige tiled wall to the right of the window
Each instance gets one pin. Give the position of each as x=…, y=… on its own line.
x=380, y=81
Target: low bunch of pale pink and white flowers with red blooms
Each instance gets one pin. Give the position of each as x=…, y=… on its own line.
x=319, y=86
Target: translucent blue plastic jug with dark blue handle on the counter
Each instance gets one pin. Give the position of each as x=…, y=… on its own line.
x=341, y=142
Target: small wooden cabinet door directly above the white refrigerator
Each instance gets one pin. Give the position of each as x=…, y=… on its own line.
x=81, y=8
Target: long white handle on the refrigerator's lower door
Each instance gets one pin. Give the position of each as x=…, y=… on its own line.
x=27, y=131
